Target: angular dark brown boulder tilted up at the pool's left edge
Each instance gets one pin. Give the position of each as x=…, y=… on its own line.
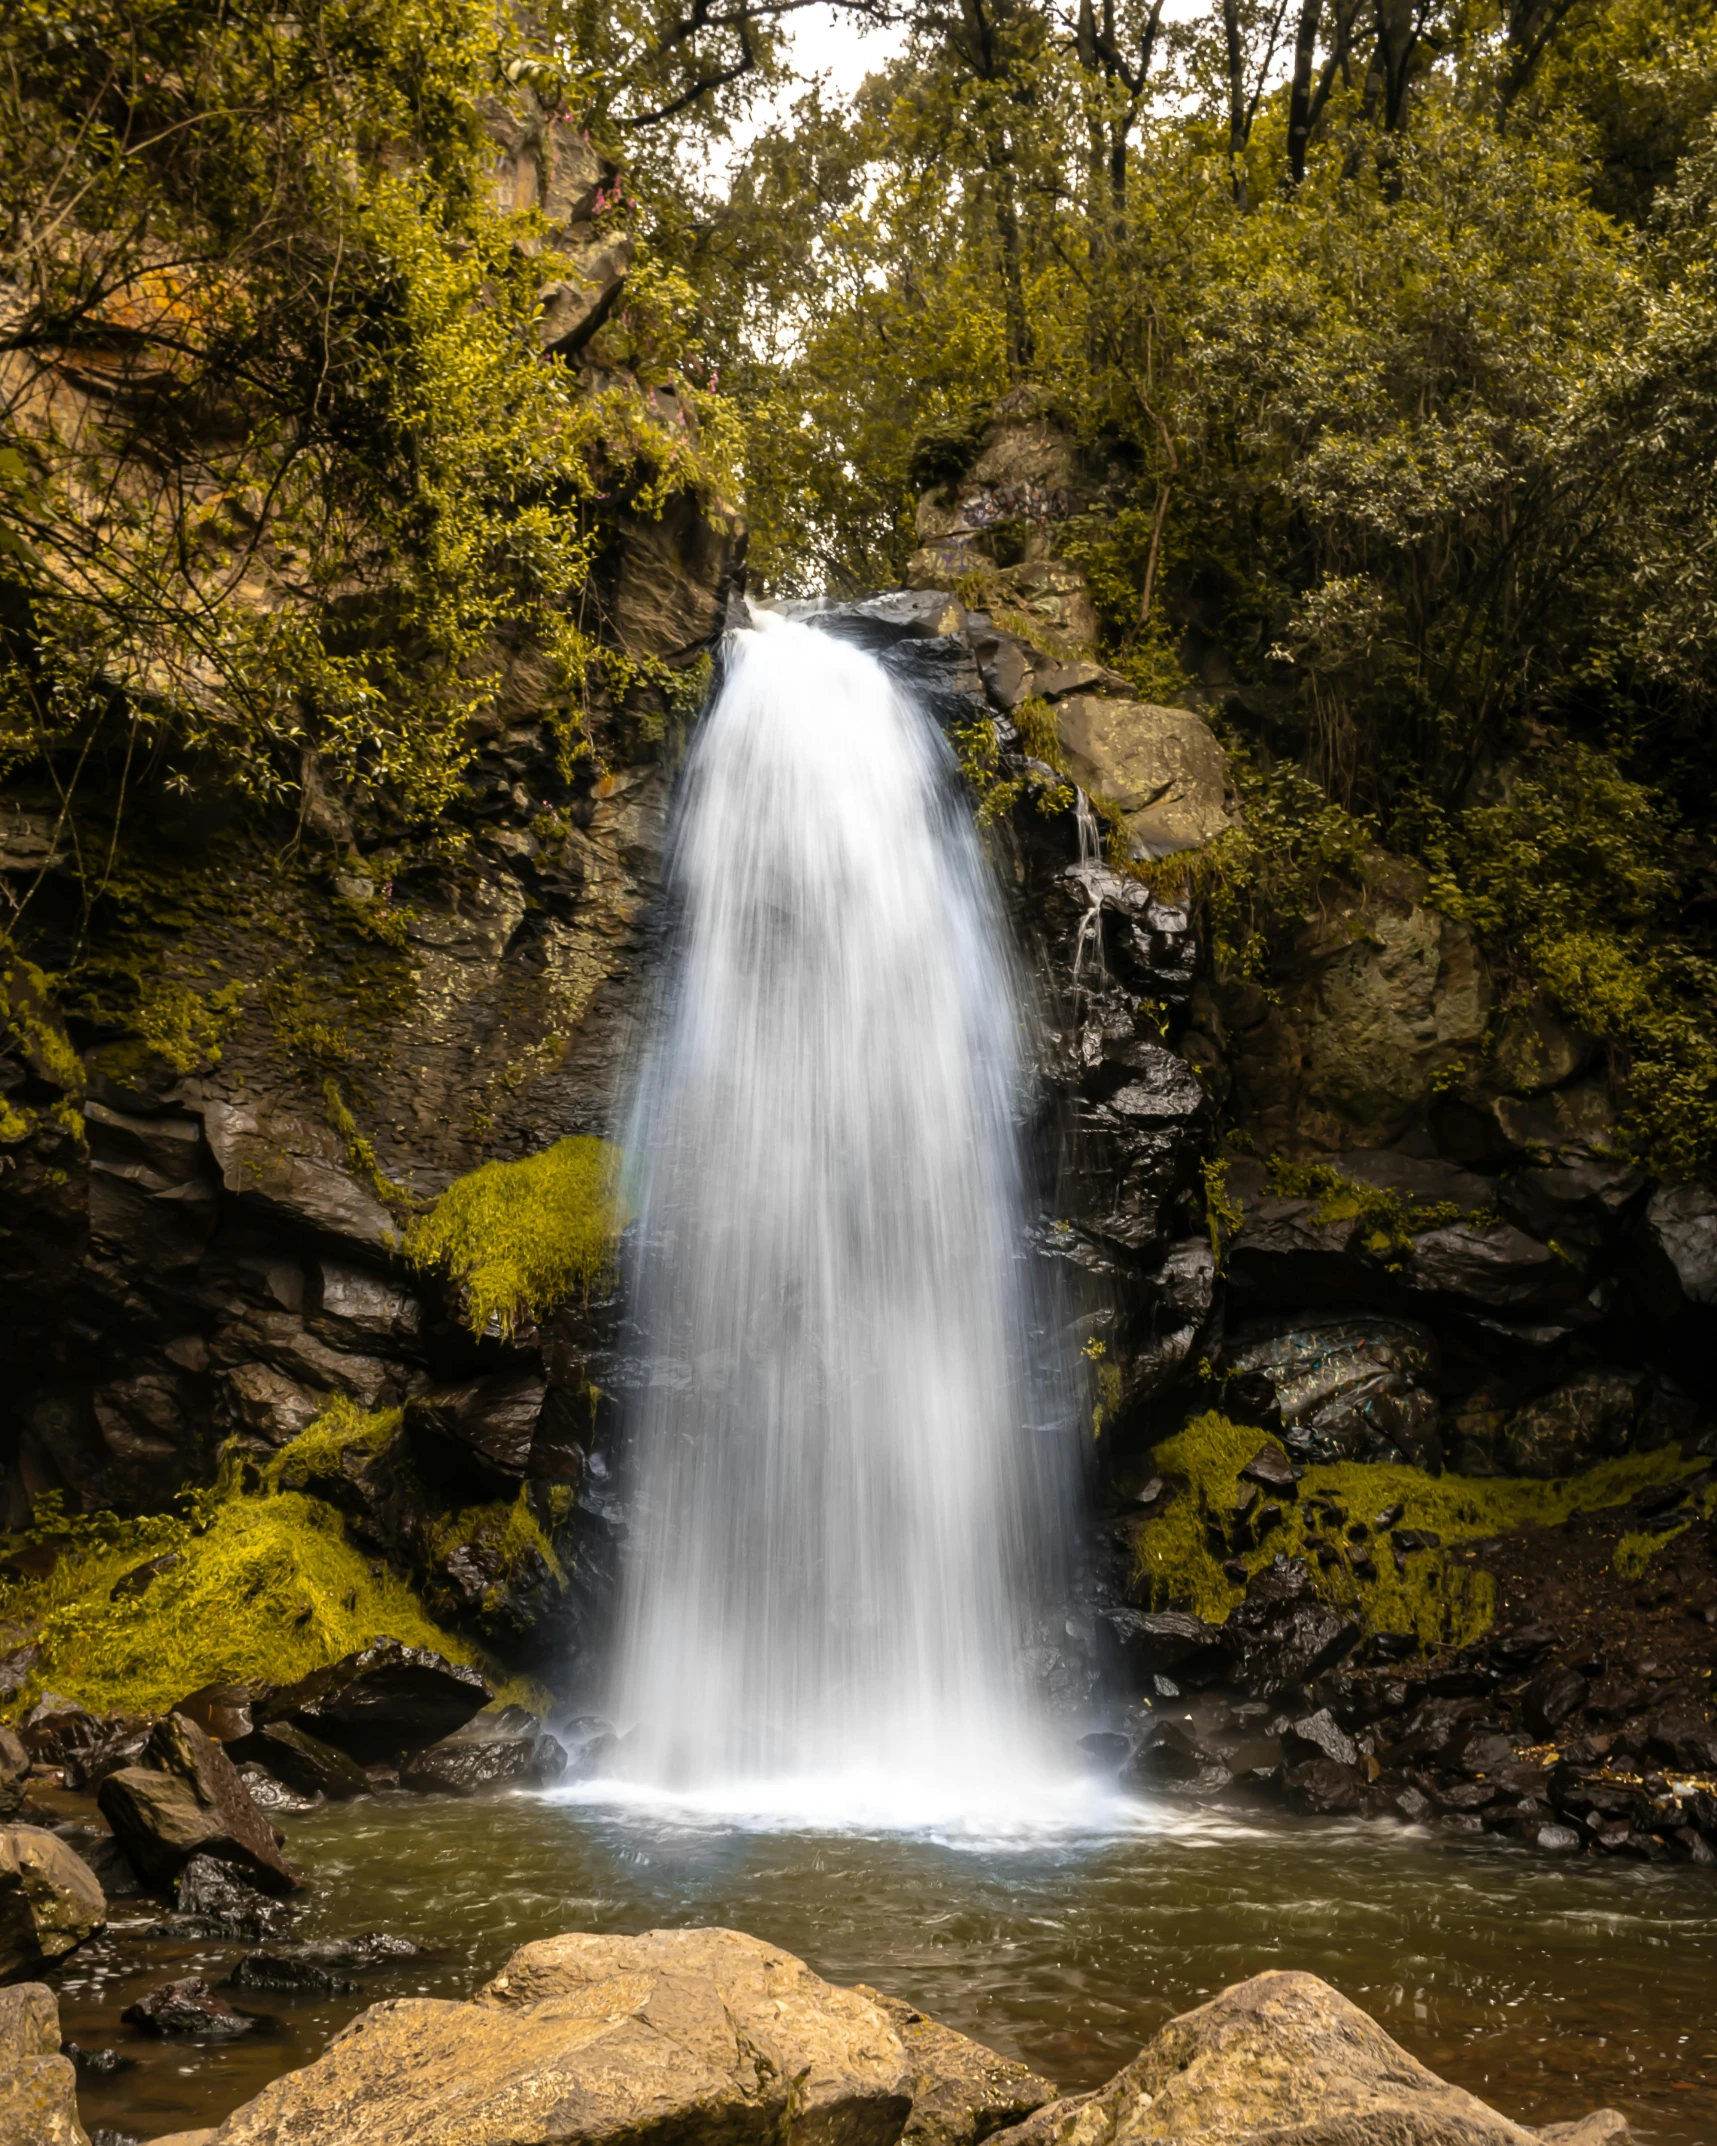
x=188, y=1799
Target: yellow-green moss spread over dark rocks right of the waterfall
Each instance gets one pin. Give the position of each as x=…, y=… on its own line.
x=1439, y=1600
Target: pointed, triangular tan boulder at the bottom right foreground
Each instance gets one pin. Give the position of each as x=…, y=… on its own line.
x=1272, y=2061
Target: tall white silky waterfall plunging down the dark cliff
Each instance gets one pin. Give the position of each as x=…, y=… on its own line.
x=849, y=1469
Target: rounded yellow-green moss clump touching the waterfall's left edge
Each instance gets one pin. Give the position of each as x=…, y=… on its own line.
x=525, y=1237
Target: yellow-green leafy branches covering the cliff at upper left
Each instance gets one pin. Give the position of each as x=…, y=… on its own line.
x=334, y=473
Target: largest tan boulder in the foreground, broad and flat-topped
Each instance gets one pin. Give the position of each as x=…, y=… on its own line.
x=675, y=2035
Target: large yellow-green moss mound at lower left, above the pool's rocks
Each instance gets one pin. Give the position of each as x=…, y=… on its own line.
x=267, y=1591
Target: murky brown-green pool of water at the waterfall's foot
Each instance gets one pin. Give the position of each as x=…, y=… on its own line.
x=1542, y=1986
